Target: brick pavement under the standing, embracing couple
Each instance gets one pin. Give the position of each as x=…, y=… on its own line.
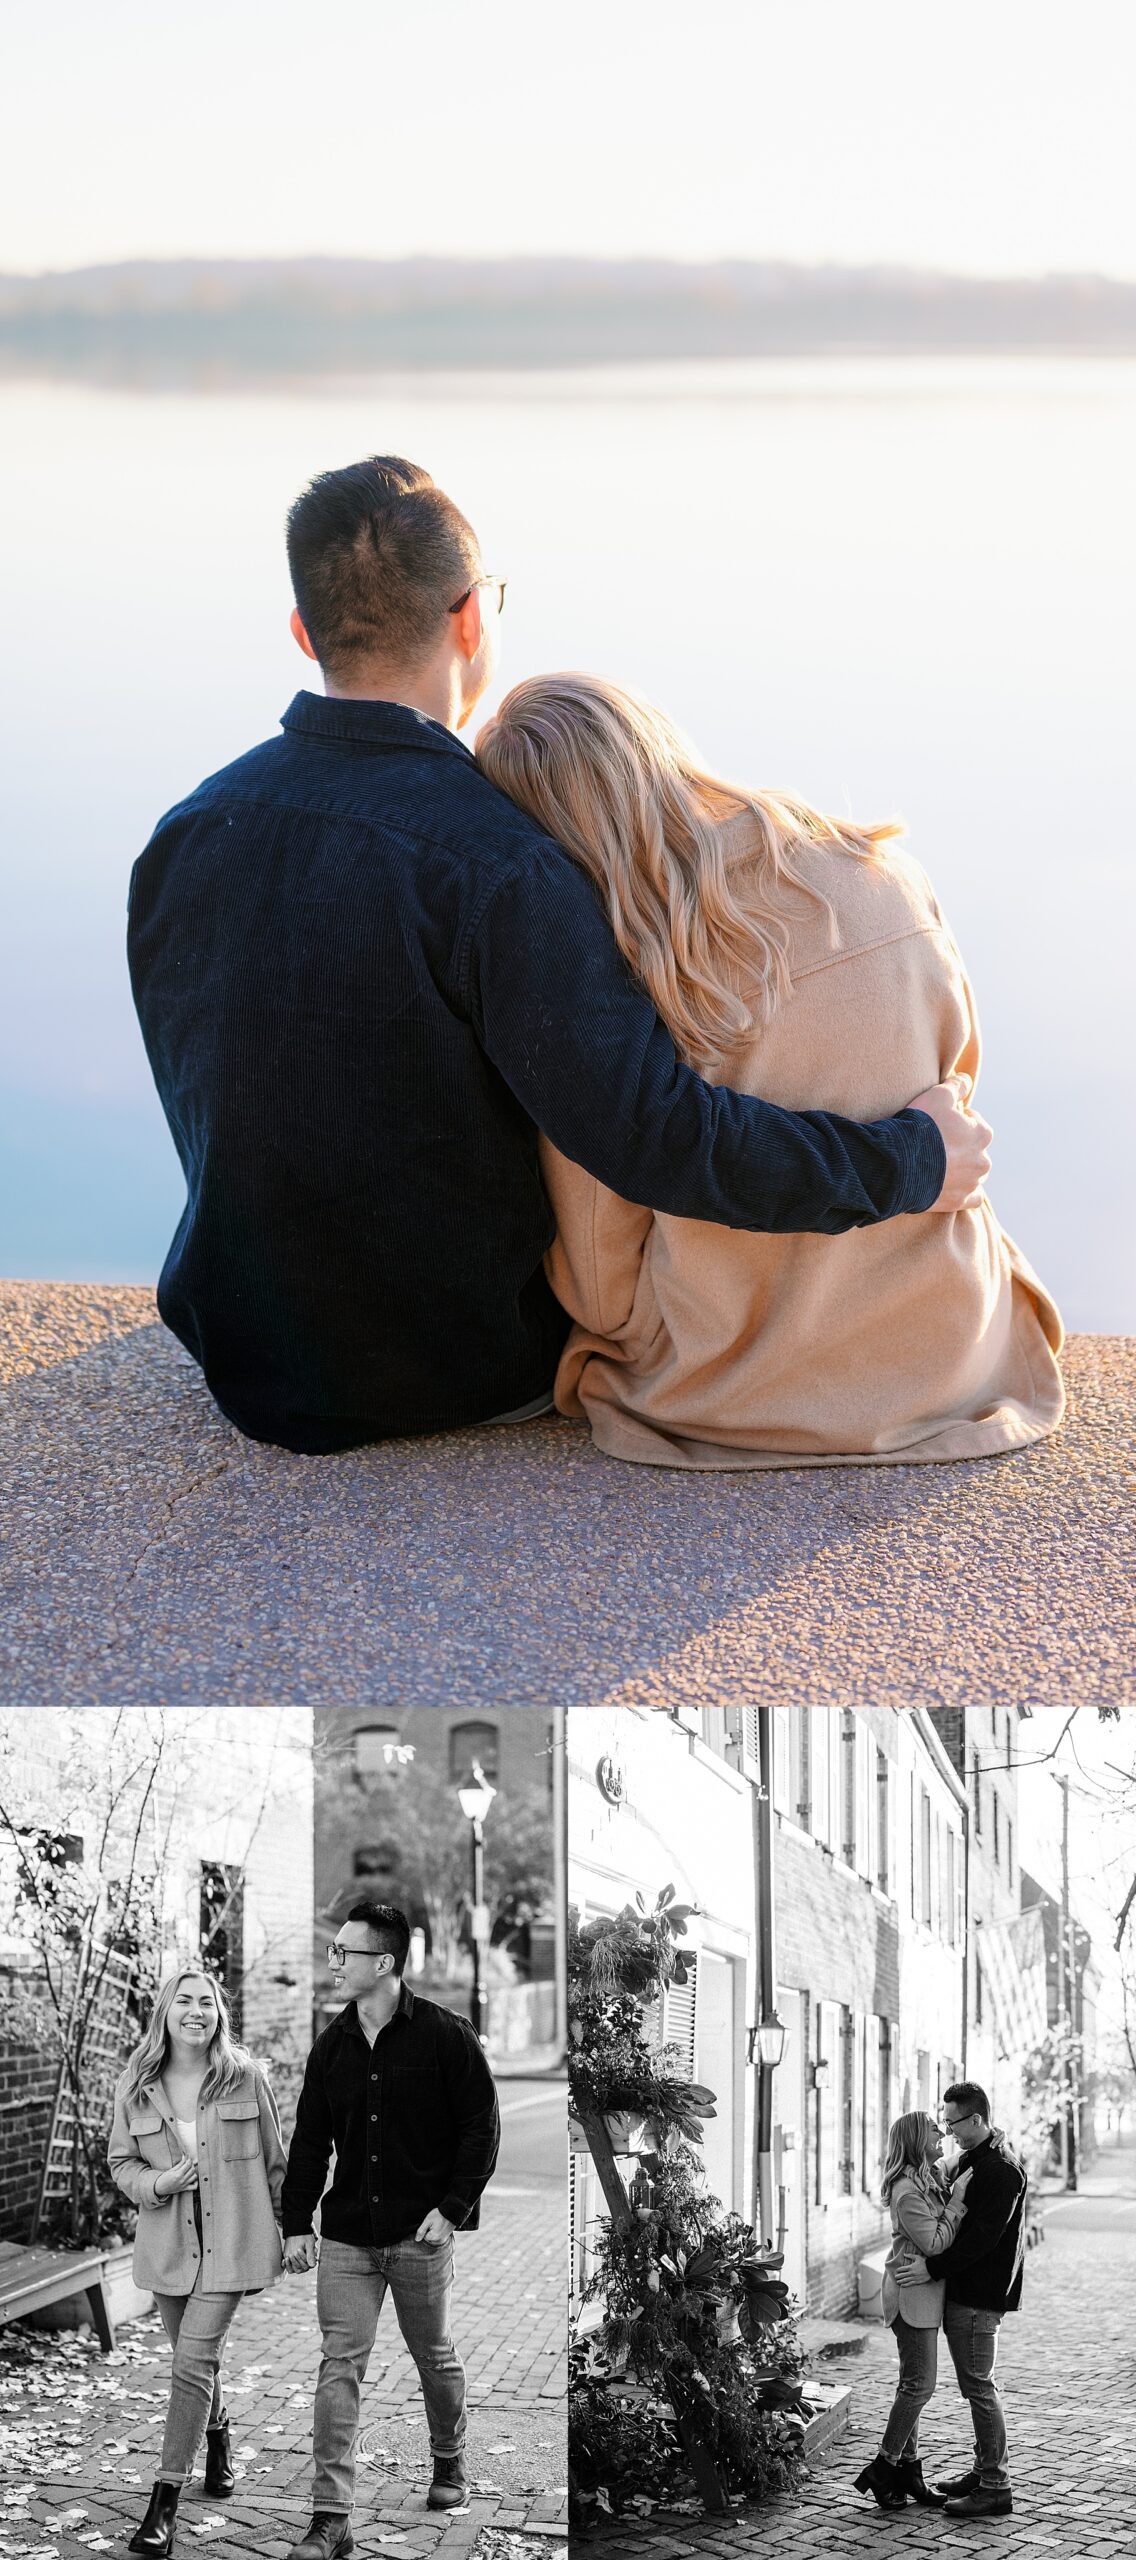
x=1068, y=2374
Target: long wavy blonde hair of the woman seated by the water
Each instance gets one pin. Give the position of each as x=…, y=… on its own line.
x=631, y=800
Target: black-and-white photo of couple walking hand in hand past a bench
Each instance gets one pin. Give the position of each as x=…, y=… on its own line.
x=283, y=2175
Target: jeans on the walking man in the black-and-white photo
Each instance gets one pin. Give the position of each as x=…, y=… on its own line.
x=349, y=2295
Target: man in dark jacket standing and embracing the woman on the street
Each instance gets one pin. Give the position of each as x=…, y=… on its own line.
x=984, y=2282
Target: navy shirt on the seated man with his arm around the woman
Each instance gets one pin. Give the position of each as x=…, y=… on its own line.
x=365, y=982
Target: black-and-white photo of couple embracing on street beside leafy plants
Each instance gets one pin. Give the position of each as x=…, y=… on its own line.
x=853, y=2131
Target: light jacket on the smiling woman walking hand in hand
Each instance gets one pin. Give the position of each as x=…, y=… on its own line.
x=242, y=2175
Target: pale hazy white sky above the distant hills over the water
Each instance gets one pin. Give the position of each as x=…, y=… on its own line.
x=981, y=134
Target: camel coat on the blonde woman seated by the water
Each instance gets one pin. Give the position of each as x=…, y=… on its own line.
x=925, y=1338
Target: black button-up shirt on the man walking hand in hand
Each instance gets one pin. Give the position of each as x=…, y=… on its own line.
x=413, y=2124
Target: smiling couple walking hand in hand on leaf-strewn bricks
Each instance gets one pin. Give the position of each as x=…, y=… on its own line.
x=406, y=2100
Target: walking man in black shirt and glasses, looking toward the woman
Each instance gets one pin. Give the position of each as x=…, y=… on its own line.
x=403, y=2093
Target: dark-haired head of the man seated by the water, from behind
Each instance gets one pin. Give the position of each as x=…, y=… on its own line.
x=377, y=557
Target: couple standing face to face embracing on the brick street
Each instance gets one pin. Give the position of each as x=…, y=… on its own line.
x=956, y=2264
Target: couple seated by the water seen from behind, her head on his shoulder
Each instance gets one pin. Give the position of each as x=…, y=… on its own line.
x=564, y=1071
